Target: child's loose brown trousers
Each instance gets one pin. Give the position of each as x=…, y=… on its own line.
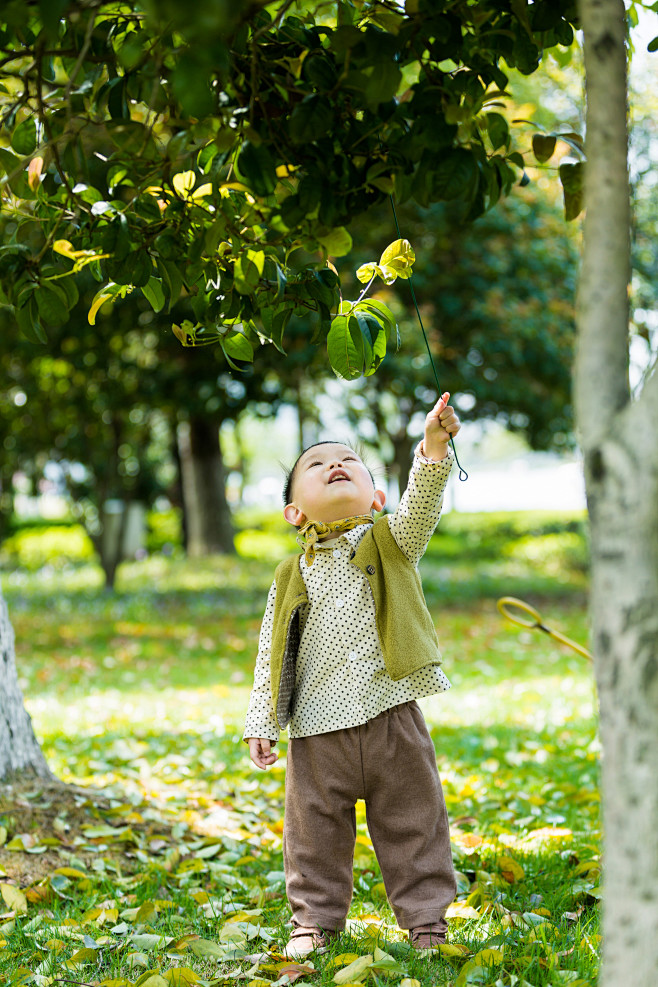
x=389, y=762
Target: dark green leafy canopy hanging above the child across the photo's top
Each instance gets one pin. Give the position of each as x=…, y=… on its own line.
x=219, y=151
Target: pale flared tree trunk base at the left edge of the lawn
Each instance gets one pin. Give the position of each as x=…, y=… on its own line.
x=20, y=753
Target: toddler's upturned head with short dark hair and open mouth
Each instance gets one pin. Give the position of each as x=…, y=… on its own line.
x=331, y=482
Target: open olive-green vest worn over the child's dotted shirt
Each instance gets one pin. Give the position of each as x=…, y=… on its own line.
x=404, y=626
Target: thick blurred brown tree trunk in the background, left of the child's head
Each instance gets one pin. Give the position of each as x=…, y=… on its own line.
x=208, y=517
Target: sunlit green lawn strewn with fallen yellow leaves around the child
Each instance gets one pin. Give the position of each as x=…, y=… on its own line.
x=173, y=873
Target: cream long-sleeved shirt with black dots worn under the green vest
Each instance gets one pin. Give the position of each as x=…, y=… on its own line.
x=341, y=677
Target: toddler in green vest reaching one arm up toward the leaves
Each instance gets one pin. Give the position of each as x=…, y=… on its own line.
x=347, y=646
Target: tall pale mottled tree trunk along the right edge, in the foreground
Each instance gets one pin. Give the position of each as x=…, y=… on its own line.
x=620, y=445
